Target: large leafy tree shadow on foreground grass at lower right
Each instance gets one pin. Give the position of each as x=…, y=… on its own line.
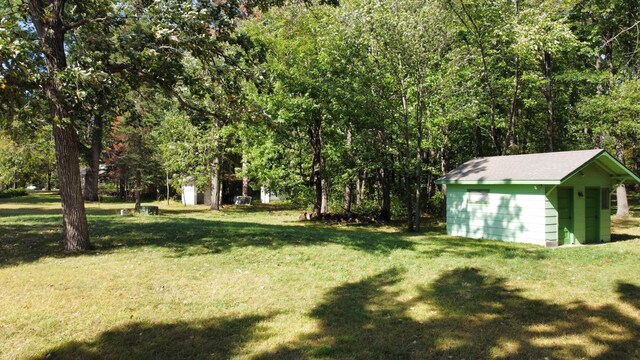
x=465, y=315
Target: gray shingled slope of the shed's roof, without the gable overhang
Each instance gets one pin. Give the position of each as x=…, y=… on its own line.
x=544, y=167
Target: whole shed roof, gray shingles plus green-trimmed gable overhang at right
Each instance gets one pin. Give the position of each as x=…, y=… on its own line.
x=543, y=168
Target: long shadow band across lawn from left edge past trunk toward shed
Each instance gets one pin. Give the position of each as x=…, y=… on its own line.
x=188, y=236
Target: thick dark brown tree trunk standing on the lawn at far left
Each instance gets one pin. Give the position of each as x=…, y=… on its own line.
x=47, y=20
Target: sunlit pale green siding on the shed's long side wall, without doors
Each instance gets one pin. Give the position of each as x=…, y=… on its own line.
x=512, y=213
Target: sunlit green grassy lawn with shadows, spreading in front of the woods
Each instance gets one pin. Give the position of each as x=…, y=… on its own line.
x=256, y=283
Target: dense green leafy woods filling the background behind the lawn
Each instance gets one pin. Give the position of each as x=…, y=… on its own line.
x=356, y=106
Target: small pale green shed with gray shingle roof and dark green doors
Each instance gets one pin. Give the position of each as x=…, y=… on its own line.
x=547, y=199
